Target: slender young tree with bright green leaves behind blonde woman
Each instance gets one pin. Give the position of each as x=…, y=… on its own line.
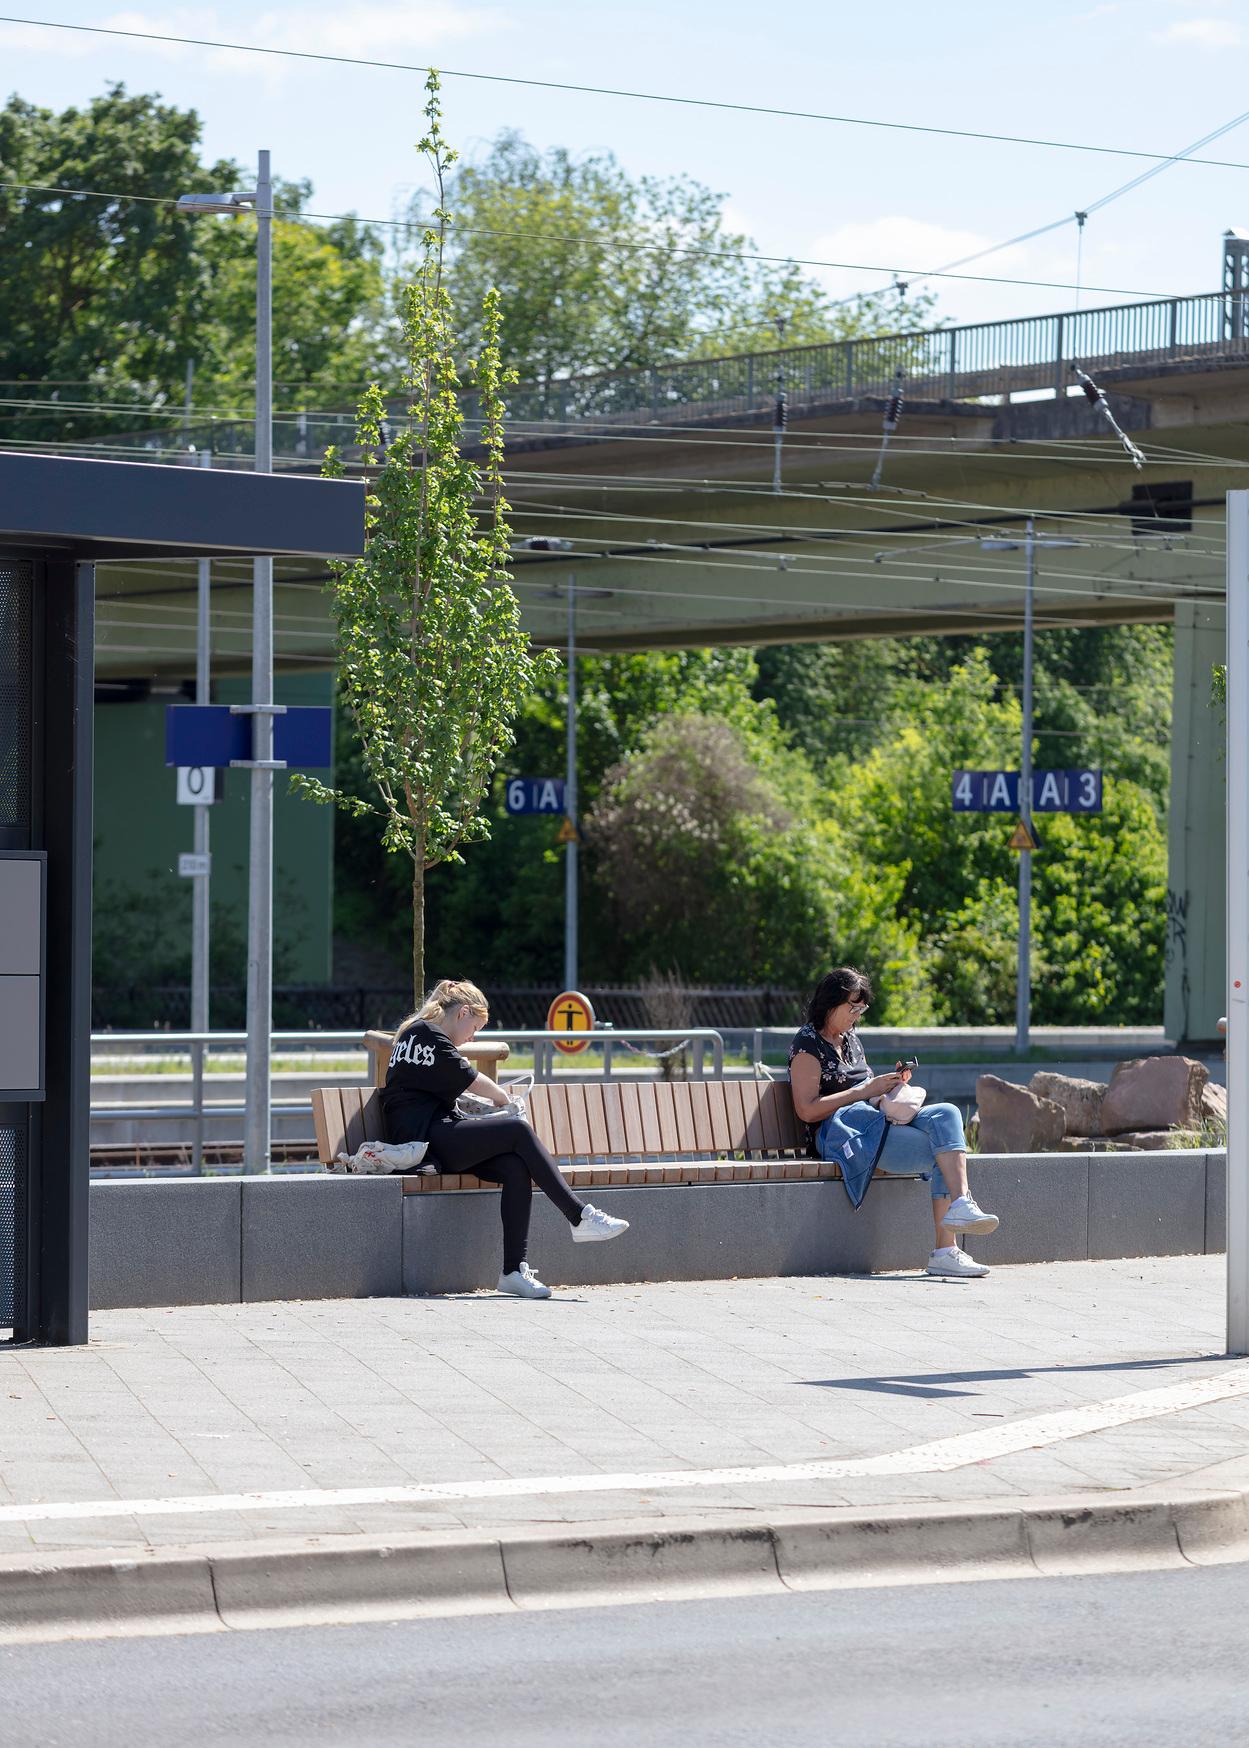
x=434, y=663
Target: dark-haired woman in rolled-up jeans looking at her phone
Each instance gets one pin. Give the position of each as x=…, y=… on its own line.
x=829, y=1074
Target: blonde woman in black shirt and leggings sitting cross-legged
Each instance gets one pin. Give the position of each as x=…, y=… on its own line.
x=427, y=1076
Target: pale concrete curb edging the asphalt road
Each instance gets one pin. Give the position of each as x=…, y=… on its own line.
x=352, y=1579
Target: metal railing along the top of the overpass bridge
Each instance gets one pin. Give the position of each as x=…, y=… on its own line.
x=986, y=359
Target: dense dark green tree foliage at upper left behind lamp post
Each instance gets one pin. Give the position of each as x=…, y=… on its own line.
x=106, y=302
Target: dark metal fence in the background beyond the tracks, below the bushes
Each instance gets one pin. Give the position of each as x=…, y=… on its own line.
x=319, y=1008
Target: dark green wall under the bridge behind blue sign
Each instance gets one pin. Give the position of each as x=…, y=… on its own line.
x=141, y=829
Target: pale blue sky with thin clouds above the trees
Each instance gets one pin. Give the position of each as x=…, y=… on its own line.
x=1145, y=74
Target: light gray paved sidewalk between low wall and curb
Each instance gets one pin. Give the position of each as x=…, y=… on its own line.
x=619, y=1382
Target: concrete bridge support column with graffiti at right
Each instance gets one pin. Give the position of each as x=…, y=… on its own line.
x=1197, y=833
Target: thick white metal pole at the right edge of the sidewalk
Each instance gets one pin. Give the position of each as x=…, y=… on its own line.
x=1238, y=714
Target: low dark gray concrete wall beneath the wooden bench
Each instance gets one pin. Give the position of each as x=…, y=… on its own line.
x=238, y=1240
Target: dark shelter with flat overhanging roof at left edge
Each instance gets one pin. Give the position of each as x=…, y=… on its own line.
x=59, y=518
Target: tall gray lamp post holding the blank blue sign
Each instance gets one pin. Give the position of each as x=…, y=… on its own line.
x=259, y=1016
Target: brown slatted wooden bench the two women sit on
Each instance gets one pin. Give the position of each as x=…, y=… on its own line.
x=621, y=1134
